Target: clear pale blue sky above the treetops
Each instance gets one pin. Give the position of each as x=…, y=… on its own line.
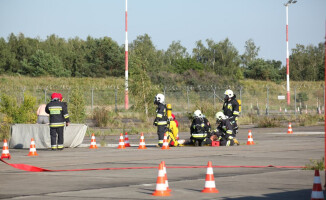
x=165, y=21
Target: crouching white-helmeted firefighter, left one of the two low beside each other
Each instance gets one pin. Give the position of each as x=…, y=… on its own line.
x=199, y=129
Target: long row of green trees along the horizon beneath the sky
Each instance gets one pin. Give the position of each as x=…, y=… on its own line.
x=209, y=62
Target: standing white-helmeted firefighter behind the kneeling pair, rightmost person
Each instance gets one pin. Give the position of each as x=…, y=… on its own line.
x=231, y=108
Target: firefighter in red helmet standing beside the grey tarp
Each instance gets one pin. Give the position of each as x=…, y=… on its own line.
x=58, y=118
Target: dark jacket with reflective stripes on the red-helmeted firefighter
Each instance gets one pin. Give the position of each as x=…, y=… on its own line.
x=58, y=113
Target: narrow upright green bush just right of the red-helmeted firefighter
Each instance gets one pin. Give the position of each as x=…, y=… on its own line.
x=77, y=106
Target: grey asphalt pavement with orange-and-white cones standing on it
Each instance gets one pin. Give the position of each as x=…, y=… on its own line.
x=240, y=172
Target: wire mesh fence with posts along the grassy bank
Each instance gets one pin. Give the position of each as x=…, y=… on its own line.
x=264, y=100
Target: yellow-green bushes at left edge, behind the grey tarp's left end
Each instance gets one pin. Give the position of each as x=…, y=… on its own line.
x=18, y=113
